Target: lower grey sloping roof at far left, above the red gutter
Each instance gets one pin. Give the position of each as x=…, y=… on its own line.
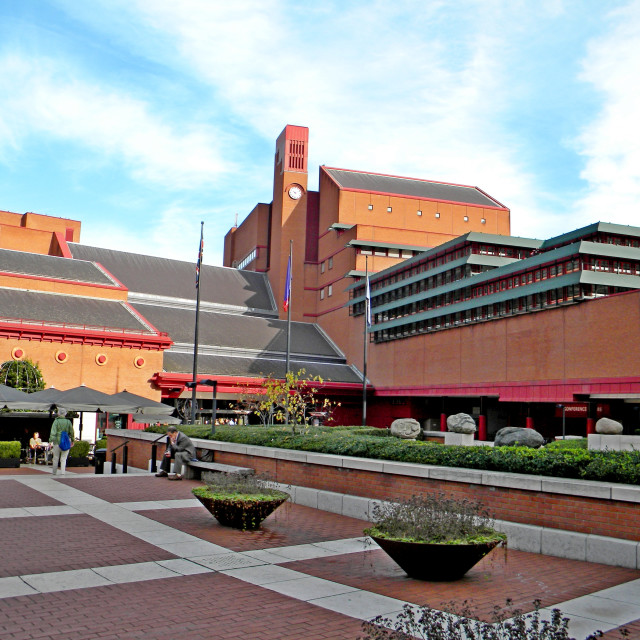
x=55, y=309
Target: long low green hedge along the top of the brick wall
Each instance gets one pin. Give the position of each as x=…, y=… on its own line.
x=606, y=466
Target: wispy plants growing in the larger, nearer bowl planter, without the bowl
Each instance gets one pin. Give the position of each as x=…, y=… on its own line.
x=434, y=518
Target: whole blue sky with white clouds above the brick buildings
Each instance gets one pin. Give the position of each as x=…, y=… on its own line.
x=141, y=118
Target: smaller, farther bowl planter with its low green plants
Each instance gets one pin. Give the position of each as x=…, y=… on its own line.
x=241, y=502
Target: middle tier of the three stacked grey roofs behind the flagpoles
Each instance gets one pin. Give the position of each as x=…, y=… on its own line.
x=232, y=331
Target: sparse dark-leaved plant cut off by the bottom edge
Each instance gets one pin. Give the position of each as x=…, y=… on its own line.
x=460, y=622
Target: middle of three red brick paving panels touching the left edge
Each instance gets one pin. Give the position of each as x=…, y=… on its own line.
x=61, y=543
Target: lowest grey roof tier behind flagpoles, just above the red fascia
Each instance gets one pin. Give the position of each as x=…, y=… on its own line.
x=256, y=367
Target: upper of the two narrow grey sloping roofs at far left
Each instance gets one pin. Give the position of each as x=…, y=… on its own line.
x=35, y=264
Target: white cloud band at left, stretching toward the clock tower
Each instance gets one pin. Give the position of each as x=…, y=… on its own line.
x=43, y=98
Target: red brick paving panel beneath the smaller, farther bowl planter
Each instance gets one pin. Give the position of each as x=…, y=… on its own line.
x=290, y=524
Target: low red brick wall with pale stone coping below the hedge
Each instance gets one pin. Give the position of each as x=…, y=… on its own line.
x=585, y=507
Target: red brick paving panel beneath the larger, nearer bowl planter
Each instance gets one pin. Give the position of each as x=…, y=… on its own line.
x=521, y=576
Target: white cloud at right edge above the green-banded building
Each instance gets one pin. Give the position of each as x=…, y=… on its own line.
x=610, y=143
